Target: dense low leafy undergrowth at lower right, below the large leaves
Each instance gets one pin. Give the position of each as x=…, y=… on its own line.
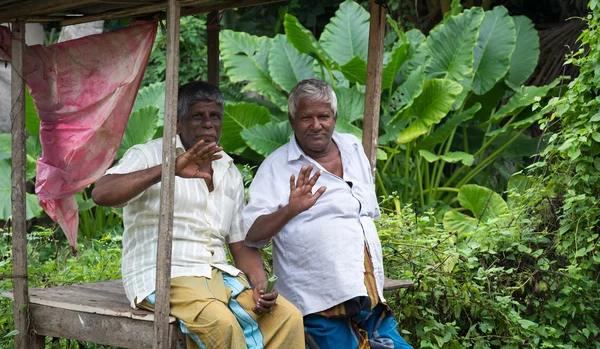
x=504, y=286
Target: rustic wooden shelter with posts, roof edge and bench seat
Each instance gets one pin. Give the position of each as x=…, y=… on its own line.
x=99, y=312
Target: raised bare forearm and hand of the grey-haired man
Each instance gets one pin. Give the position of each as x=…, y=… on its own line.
x=301, y=199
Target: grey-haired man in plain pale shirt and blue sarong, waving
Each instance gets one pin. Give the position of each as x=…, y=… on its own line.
x=326, y=251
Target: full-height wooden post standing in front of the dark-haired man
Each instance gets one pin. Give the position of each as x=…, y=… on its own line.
x=165, y=221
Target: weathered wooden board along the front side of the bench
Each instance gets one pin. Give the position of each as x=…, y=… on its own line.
x=100, y=329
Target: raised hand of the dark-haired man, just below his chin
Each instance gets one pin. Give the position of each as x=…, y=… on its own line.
x=192, y=163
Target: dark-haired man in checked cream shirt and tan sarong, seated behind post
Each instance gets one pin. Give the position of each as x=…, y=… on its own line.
x=206, y=292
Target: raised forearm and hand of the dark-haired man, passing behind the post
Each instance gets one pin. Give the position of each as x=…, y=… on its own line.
x=118, y=189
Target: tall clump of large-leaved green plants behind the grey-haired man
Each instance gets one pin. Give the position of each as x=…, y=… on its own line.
x=440, y=128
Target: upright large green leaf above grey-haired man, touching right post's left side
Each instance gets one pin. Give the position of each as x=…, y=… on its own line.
x=347, y=33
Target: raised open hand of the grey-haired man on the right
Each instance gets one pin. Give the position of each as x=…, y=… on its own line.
x=301, y=195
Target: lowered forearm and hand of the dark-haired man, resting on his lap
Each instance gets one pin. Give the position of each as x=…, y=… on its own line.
x=249, y=260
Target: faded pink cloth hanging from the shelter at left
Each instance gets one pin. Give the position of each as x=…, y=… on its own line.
x=83, y=92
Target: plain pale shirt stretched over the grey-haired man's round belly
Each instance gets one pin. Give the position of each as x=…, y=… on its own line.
x=319, y=255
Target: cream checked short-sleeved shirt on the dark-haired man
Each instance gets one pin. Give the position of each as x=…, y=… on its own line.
x=203, y=222
